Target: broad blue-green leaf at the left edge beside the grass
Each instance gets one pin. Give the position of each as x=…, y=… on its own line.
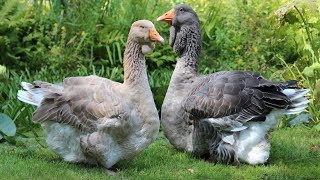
x=7, y=126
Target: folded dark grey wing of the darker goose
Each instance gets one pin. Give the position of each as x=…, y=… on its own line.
x=235, y=95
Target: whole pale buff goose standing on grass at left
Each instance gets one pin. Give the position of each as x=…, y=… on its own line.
x=94, y=120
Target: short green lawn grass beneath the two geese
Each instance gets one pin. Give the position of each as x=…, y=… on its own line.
x=295, y=155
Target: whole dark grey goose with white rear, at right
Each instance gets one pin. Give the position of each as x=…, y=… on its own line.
x=223, y=117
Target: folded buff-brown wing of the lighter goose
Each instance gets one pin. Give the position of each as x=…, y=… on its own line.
x=82, y=102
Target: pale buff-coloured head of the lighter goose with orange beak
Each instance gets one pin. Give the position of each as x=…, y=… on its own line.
x=144, y=33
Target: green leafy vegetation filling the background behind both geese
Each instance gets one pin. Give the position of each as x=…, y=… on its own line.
x=53, y=39
